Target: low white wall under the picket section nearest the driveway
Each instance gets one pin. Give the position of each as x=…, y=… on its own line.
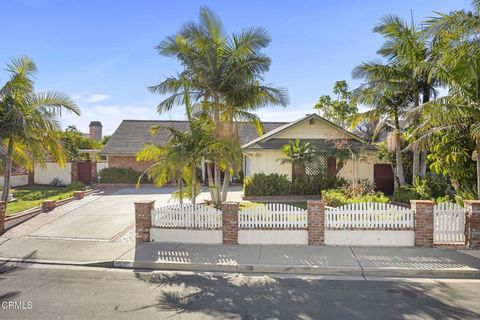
x=186, y=236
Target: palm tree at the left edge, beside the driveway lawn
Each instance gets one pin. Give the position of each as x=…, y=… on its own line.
x=29, y=132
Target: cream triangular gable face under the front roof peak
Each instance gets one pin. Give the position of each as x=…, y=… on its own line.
x=316, y=129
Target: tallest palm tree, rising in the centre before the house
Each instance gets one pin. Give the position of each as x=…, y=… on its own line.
x=224, y=73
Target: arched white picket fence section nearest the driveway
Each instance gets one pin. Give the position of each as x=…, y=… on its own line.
x=187, y=216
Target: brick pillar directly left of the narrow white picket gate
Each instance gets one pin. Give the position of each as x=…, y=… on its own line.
x=423, y=217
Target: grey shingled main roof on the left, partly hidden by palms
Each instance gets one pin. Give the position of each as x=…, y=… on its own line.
x=132, y=135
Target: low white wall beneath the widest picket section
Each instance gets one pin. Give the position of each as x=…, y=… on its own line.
x=379, y=238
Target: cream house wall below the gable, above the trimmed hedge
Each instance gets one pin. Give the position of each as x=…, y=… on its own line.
x=267, y=161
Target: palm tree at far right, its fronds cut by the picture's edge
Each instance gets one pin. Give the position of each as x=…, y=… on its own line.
x=457, y=67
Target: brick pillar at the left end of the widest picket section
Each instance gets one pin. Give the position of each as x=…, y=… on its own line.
x=316, y=223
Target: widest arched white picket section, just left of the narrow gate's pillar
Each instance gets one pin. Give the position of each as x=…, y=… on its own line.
x=369, y=215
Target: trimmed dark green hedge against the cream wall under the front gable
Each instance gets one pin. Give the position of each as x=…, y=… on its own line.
x=266, y=185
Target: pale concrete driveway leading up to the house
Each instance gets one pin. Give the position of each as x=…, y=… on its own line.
x=111, y=215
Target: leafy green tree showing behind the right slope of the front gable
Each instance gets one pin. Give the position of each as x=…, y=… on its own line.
x=341, y=110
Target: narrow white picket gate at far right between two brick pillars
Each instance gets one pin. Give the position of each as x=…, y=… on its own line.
x=449, y=223
